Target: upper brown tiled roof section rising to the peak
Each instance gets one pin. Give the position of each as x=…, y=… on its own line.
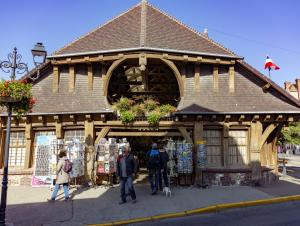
x=147, y=27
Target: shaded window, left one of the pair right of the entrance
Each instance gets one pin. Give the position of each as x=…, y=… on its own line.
x=213, y=140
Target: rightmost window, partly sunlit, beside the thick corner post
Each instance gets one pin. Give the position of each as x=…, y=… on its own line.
x=238, y=148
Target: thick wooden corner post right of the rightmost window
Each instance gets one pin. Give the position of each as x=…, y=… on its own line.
x=255, y=137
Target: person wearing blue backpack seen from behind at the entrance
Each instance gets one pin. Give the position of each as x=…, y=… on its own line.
x=153, y=165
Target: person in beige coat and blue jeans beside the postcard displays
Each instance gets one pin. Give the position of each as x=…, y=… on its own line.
x=62, y=177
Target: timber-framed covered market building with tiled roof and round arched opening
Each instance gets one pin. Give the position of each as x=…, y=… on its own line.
x=221, y=101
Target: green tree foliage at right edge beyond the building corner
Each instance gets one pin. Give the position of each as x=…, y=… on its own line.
x=290, y=134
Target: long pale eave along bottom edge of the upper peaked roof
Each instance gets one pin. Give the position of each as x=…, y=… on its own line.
x=144, y=49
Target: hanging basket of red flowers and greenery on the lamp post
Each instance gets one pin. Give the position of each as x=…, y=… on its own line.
x=18, y=95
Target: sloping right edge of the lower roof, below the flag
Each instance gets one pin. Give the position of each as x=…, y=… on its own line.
x=271, y=82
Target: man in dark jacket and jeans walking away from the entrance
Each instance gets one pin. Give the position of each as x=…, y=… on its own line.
x=126, y=168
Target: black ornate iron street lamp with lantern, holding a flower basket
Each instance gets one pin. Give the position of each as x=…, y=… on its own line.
x=12, y=65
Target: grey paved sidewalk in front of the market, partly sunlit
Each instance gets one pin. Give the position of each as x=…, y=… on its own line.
x=27, y=206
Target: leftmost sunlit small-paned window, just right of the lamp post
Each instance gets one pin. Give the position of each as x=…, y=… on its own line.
x=17, y=149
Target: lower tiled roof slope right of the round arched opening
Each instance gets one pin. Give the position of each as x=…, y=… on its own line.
x=249, y=96
